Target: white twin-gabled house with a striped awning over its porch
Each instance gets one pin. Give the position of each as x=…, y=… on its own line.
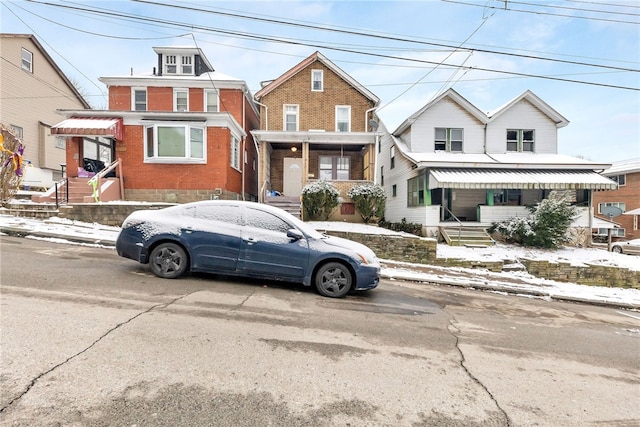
x=451, y=163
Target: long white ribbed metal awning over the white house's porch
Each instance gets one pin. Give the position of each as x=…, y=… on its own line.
x=519, y=178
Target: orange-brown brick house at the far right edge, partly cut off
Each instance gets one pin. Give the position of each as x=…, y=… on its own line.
x=626, y=198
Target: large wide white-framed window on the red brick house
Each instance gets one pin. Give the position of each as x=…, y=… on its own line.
x=176, y=143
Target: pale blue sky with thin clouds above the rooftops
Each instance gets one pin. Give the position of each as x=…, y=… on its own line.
x=581, y=57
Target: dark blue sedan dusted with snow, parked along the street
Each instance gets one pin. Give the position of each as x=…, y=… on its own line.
x=245, y=239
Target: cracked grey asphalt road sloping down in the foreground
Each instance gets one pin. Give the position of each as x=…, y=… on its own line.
x=90, y=339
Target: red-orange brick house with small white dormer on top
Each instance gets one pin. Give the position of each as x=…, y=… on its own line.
x=178, y=134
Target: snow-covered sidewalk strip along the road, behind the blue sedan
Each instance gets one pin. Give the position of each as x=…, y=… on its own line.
x=513, y=282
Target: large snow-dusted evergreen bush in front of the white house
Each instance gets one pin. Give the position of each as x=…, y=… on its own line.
x=546, y=227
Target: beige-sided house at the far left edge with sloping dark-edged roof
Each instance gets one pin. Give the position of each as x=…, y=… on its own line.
x=32, y=87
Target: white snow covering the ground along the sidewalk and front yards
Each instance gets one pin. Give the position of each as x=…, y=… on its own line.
x=518, y=282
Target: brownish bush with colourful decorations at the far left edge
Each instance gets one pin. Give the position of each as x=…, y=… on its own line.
x=11, y=150
